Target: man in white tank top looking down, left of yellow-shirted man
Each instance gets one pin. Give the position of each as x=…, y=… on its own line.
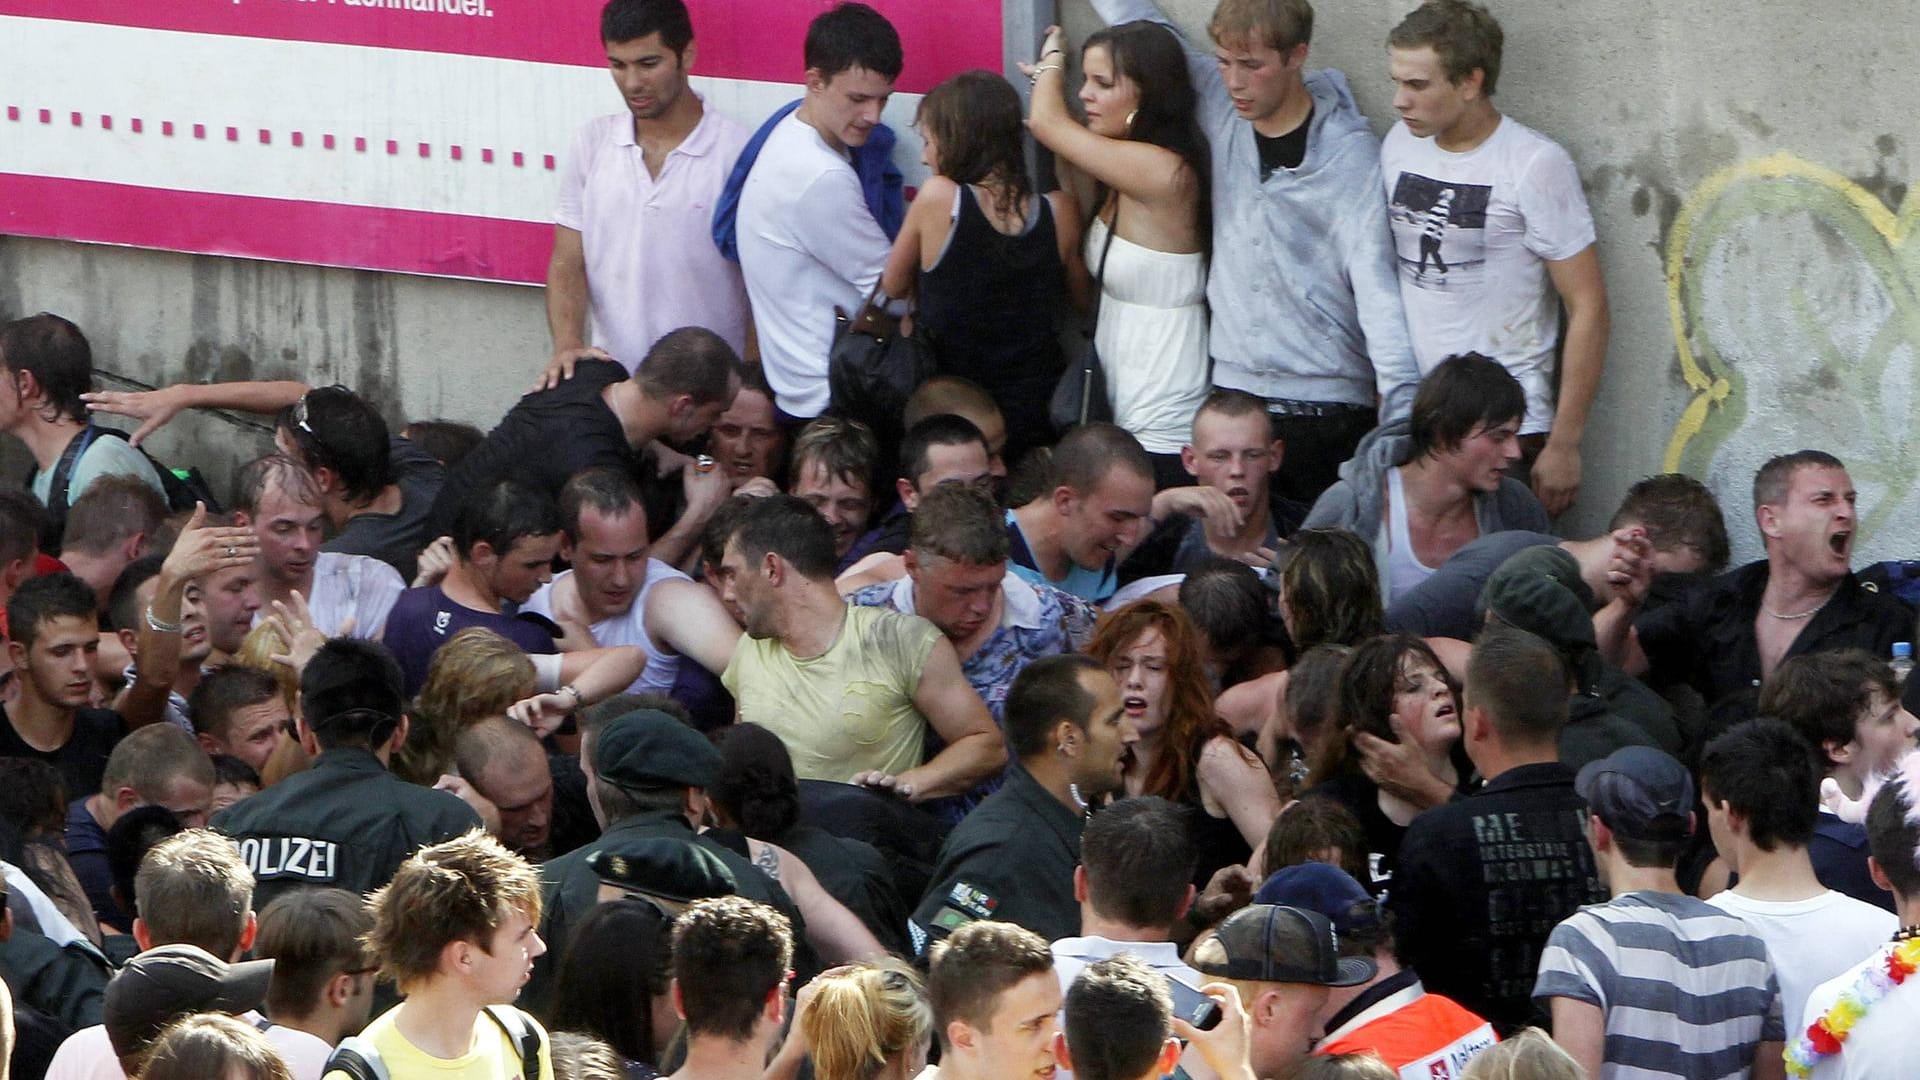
x=623, y=595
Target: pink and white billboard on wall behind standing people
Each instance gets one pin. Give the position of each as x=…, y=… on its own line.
x=398, y=135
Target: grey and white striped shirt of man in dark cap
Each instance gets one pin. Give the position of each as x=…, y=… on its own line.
x=1687, y=989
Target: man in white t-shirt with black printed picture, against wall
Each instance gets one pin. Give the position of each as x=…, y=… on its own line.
x=1487, y=216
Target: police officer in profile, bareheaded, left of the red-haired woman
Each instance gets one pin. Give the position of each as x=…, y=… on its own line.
x=1015, y=856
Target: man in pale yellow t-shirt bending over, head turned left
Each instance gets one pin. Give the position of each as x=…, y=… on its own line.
x=852, y=691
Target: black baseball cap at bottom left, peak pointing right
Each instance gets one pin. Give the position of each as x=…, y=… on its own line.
x=164, y=985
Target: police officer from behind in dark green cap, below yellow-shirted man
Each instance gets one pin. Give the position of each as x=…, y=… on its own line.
x=648, y=779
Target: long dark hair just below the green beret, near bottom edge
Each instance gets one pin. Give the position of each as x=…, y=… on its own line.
x=615, y=964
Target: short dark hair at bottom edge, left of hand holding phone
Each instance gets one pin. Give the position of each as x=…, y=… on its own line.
x=1118, y=1016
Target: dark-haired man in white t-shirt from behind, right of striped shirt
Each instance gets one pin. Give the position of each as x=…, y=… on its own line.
x=1762, y=793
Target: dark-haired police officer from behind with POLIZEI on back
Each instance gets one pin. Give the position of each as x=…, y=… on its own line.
x=347, y=822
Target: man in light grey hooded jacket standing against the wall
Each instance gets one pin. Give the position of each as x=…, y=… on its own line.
x=1303, y=287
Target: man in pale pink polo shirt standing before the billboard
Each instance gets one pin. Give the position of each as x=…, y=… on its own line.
x=633, y=243
